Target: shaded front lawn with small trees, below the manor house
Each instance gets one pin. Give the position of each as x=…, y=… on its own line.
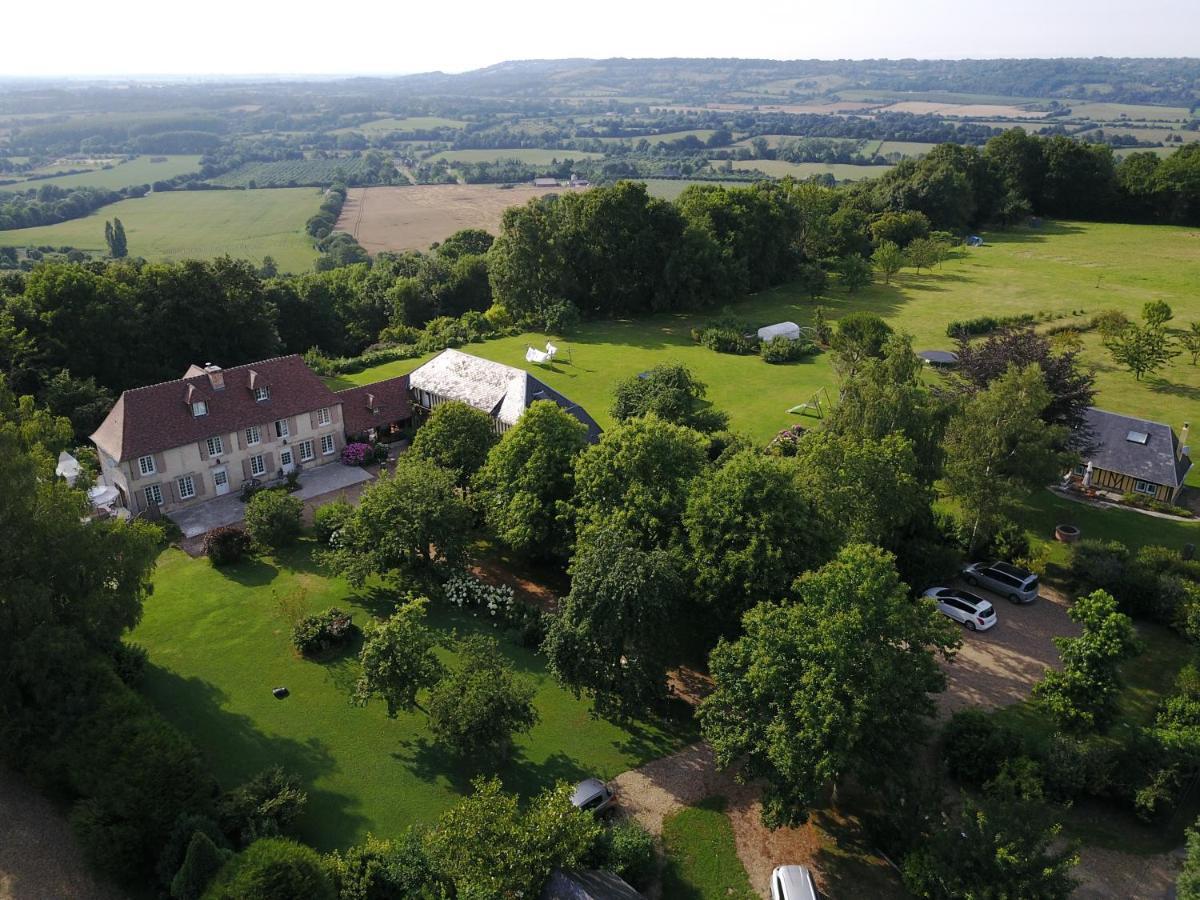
x=220, y=641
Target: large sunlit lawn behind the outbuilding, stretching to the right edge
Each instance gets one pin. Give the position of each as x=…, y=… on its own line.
x=1057, y=269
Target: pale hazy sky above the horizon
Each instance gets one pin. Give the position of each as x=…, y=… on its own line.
x=376, y=37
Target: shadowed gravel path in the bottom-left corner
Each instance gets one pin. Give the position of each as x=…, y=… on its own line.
x=39, y=857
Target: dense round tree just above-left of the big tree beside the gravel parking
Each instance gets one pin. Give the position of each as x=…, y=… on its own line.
x=752, y=530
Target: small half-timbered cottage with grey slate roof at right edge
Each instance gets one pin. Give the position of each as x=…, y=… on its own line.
x=1135, y=457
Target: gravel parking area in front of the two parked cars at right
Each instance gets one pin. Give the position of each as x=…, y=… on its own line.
x=1000, y=667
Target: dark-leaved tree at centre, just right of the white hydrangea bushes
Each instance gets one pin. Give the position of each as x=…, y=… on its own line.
x=613, y=635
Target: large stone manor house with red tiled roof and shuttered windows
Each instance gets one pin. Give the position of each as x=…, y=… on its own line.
x=178, y=443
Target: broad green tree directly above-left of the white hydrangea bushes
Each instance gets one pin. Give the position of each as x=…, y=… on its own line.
x=405, y=524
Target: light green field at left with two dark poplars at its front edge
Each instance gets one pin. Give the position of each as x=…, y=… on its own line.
x=178, y=225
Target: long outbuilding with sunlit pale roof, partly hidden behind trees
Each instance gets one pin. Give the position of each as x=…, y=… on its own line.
x=502, y=392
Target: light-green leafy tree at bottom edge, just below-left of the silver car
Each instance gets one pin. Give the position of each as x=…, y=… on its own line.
x=488, y=847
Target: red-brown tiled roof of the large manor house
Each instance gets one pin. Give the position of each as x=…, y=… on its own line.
x=159, y=417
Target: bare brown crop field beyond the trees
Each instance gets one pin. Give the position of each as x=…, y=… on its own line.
x=417, y=217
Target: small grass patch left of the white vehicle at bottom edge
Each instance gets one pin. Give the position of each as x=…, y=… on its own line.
x=701, y=859
